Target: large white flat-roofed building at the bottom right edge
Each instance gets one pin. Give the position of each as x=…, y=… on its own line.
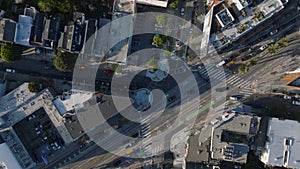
x=283, y=144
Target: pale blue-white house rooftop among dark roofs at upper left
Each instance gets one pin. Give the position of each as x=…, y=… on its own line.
x=23, y=30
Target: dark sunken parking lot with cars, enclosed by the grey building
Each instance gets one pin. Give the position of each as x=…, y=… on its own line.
x=39, y=135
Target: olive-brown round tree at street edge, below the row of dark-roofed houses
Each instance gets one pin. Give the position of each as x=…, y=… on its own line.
x=65, y=61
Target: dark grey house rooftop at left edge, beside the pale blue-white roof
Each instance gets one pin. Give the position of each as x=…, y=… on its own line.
x=7, y=30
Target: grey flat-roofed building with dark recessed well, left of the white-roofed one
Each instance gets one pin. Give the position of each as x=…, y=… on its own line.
x=231, y=138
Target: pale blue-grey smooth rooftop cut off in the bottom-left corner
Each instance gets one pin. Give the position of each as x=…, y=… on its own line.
x=7, y=158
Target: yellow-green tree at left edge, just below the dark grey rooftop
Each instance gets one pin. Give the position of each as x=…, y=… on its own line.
x=10, y=52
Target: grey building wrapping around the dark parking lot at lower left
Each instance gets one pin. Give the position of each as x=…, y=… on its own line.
x=18, y=106
